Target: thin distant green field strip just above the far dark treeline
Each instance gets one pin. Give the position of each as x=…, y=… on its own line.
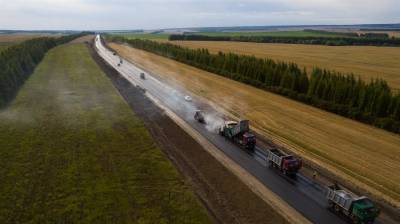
x=273, y=34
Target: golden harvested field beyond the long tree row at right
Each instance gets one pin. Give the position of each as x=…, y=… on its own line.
x=365, y=61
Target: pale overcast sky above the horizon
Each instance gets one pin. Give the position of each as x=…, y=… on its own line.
x=155, y=14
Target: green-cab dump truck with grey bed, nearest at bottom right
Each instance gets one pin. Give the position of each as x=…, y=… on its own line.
x=359, y=210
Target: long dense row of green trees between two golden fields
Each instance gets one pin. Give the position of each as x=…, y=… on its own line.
x=344, y=94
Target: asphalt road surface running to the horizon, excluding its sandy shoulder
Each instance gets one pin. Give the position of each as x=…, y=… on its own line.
x=301, y=193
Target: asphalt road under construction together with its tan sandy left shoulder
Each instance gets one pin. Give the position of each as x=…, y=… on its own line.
x=298, y=197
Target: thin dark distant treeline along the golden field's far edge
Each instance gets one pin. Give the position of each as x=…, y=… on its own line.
x=331, y=41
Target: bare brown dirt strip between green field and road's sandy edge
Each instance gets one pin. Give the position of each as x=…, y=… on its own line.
x=227, y=198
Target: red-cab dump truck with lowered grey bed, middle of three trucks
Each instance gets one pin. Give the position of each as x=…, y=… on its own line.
x=287, y=164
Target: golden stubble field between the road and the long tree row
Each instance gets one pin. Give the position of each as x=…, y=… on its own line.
x=361, y=155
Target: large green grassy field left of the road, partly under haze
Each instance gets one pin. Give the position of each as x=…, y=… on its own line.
x=72, y=151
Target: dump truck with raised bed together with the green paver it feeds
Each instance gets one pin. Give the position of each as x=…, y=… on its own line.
x=238, y=132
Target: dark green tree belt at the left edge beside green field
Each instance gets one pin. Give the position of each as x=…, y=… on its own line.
x=18, y=62
